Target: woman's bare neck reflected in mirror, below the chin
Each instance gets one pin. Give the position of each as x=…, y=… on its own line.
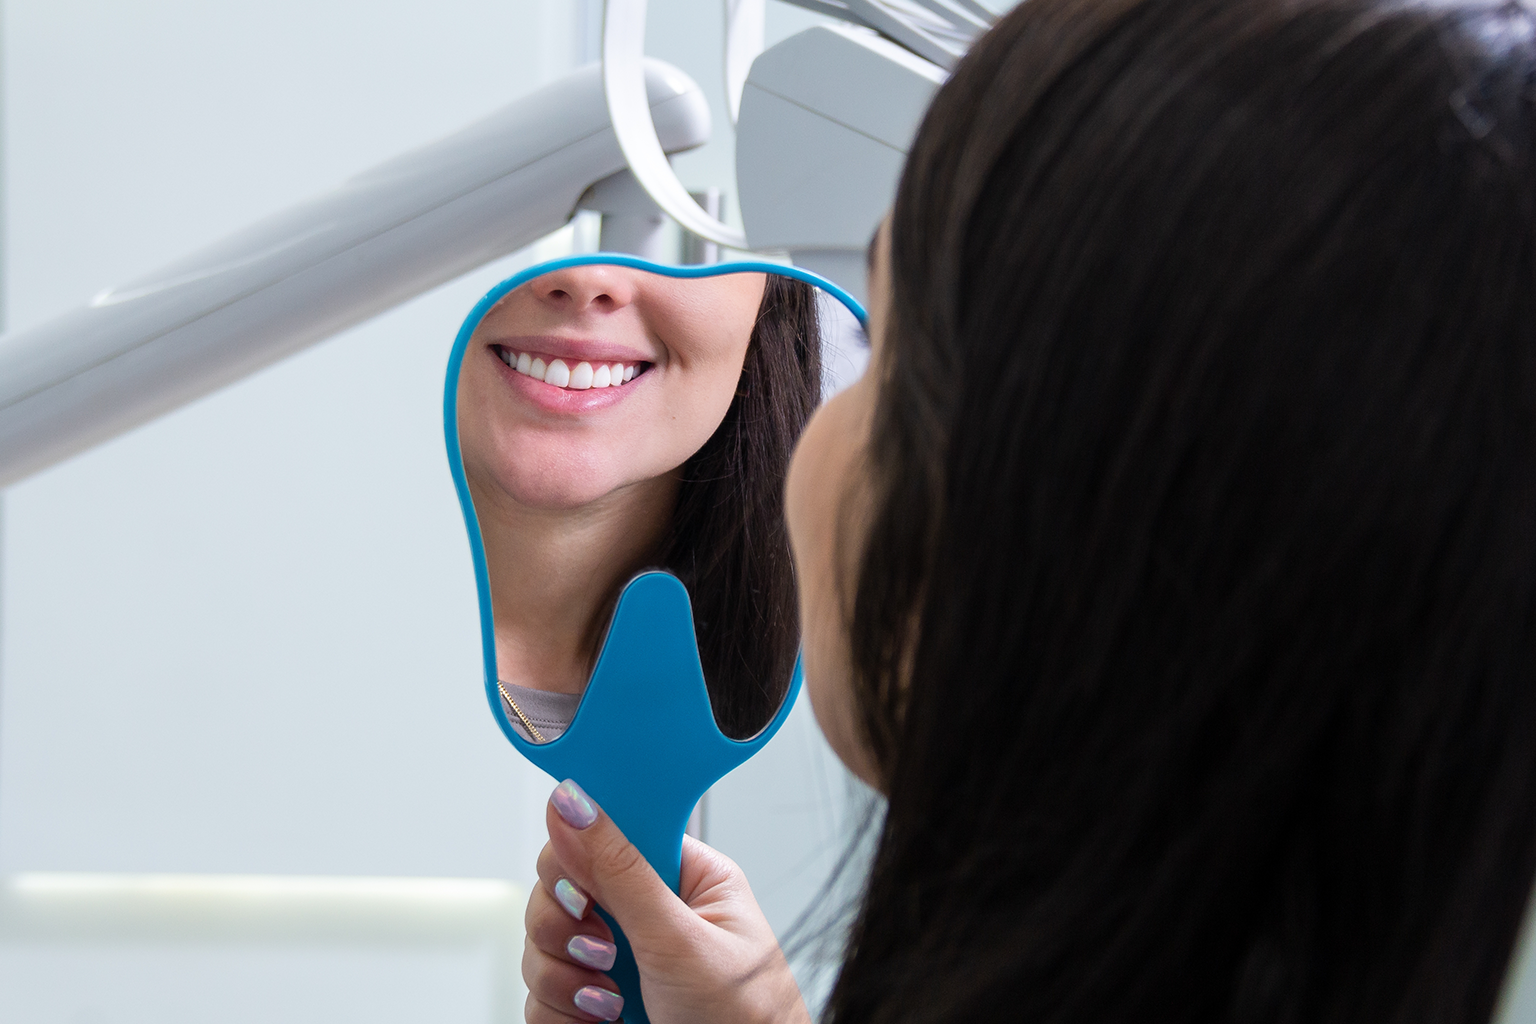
x=555, y=576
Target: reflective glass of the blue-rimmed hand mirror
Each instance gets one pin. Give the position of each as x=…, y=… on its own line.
x=615, y=420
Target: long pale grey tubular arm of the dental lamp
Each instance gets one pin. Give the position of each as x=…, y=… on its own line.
x=145, y=348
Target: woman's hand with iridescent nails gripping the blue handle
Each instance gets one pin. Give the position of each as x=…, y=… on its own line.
x=704, y=956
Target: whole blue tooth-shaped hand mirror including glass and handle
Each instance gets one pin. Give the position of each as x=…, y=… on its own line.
x=618, y=434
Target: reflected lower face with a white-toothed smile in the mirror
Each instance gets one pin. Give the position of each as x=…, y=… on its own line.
x=589, y=380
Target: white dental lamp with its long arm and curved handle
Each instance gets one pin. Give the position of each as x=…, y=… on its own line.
x=824, y=122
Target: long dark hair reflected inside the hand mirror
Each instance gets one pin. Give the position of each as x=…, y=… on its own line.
x=729, y=543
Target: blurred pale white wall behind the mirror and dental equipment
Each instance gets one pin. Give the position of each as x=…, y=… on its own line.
x=242, y=639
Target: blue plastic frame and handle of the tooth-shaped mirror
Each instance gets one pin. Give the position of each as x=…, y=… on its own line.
x=644, y=742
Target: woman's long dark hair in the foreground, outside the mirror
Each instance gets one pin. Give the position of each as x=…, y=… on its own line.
x=1205, y=460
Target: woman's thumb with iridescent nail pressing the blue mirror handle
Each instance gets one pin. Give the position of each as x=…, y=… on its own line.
x=597, y=856
